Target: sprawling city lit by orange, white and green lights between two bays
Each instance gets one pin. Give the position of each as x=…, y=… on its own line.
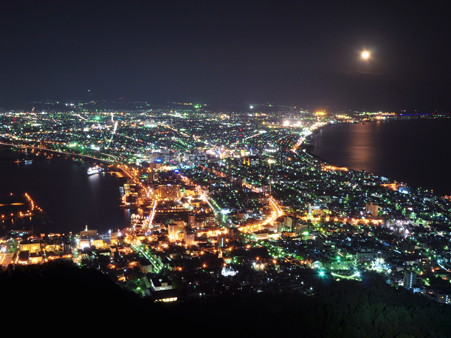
x=213, y=192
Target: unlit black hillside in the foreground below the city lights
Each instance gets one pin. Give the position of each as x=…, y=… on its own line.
x=61, y=293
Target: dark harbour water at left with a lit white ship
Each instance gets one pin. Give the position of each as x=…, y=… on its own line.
x=69, y=197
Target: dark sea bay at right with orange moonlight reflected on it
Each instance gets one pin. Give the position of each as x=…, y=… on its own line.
x=416, y=152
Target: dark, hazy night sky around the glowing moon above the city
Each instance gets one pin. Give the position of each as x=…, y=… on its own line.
x=305, y=53
